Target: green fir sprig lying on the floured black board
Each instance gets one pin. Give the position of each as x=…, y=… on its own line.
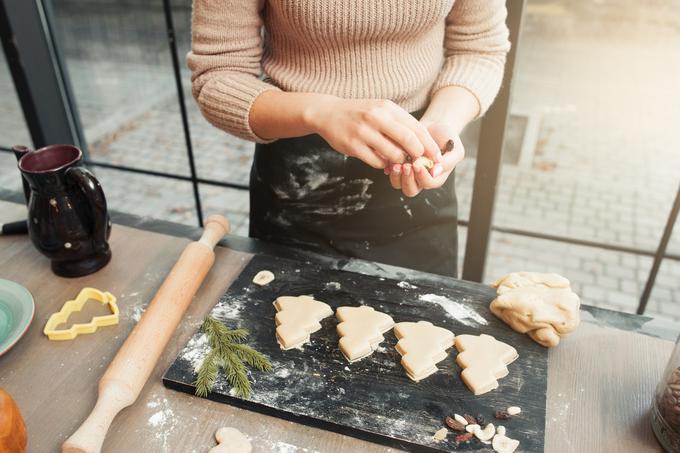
x=228, y=352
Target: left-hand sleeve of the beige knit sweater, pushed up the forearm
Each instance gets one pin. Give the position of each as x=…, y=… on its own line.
x=225, y=62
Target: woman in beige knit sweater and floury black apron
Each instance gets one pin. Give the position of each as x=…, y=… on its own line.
x=351, y=87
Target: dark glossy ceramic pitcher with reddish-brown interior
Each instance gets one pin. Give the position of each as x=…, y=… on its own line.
x=67, y=217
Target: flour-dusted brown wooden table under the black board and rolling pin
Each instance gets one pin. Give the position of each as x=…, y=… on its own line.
x=600, y=382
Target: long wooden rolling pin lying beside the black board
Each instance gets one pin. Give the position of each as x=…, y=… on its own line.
x=120, y=385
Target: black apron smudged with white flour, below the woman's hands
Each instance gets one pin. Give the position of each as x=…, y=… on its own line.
x=305, y=194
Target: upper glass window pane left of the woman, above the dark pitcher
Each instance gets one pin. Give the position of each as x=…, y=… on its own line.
x=120, y=68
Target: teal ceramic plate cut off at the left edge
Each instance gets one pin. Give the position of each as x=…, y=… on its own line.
x=16, y=313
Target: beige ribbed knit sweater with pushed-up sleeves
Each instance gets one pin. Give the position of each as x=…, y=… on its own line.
x=403, y=50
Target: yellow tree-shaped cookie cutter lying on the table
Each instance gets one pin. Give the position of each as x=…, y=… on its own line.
x=85, y=294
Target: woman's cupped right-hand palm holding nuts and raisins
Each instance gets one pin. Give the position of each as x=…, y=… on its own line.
x=412, y=179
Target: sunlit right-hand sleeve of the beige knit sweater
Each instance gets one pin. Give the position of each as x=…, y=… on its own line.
x=475, y=45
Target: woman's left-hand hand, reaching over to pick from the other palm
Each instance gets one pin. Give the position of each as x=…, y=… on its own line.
x=376, y=131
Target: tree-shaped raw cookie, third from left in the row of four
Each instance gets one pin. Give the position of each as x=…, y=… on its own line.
x=421, y=346
